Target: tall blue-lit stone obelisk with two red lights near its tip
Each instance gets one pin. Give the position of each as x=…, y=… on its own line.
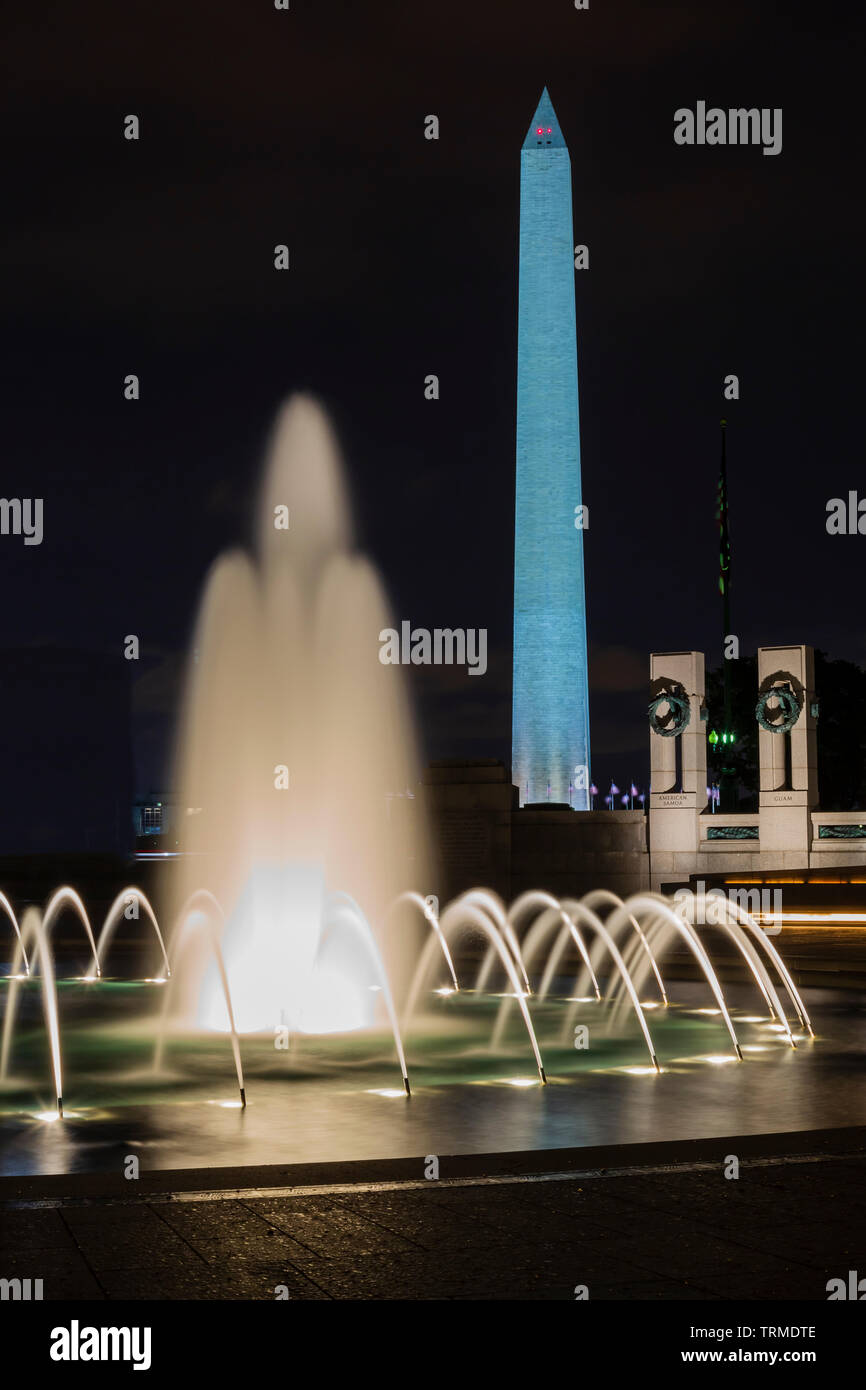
x=551, y=698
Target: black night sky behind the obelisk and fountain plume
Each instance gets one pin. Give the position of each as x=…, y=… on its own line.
x=307, y=127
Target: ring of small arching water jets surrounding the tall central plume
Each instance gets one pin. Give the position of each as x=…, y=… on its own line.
x=632, y=940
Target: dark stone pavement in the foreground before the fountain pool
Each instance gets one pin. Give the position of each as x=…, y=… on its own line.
x=778, y=1232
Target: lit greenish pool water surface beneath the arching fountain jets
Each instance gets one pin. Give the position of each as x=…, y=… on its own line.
x=336, y=1099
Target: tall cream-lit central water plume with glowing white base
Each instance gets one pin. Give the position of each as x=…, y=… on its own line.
x=297, y=755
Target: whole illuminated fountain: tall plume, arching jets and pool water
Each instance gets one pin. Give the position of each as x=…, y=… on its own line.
x=300, y=997
